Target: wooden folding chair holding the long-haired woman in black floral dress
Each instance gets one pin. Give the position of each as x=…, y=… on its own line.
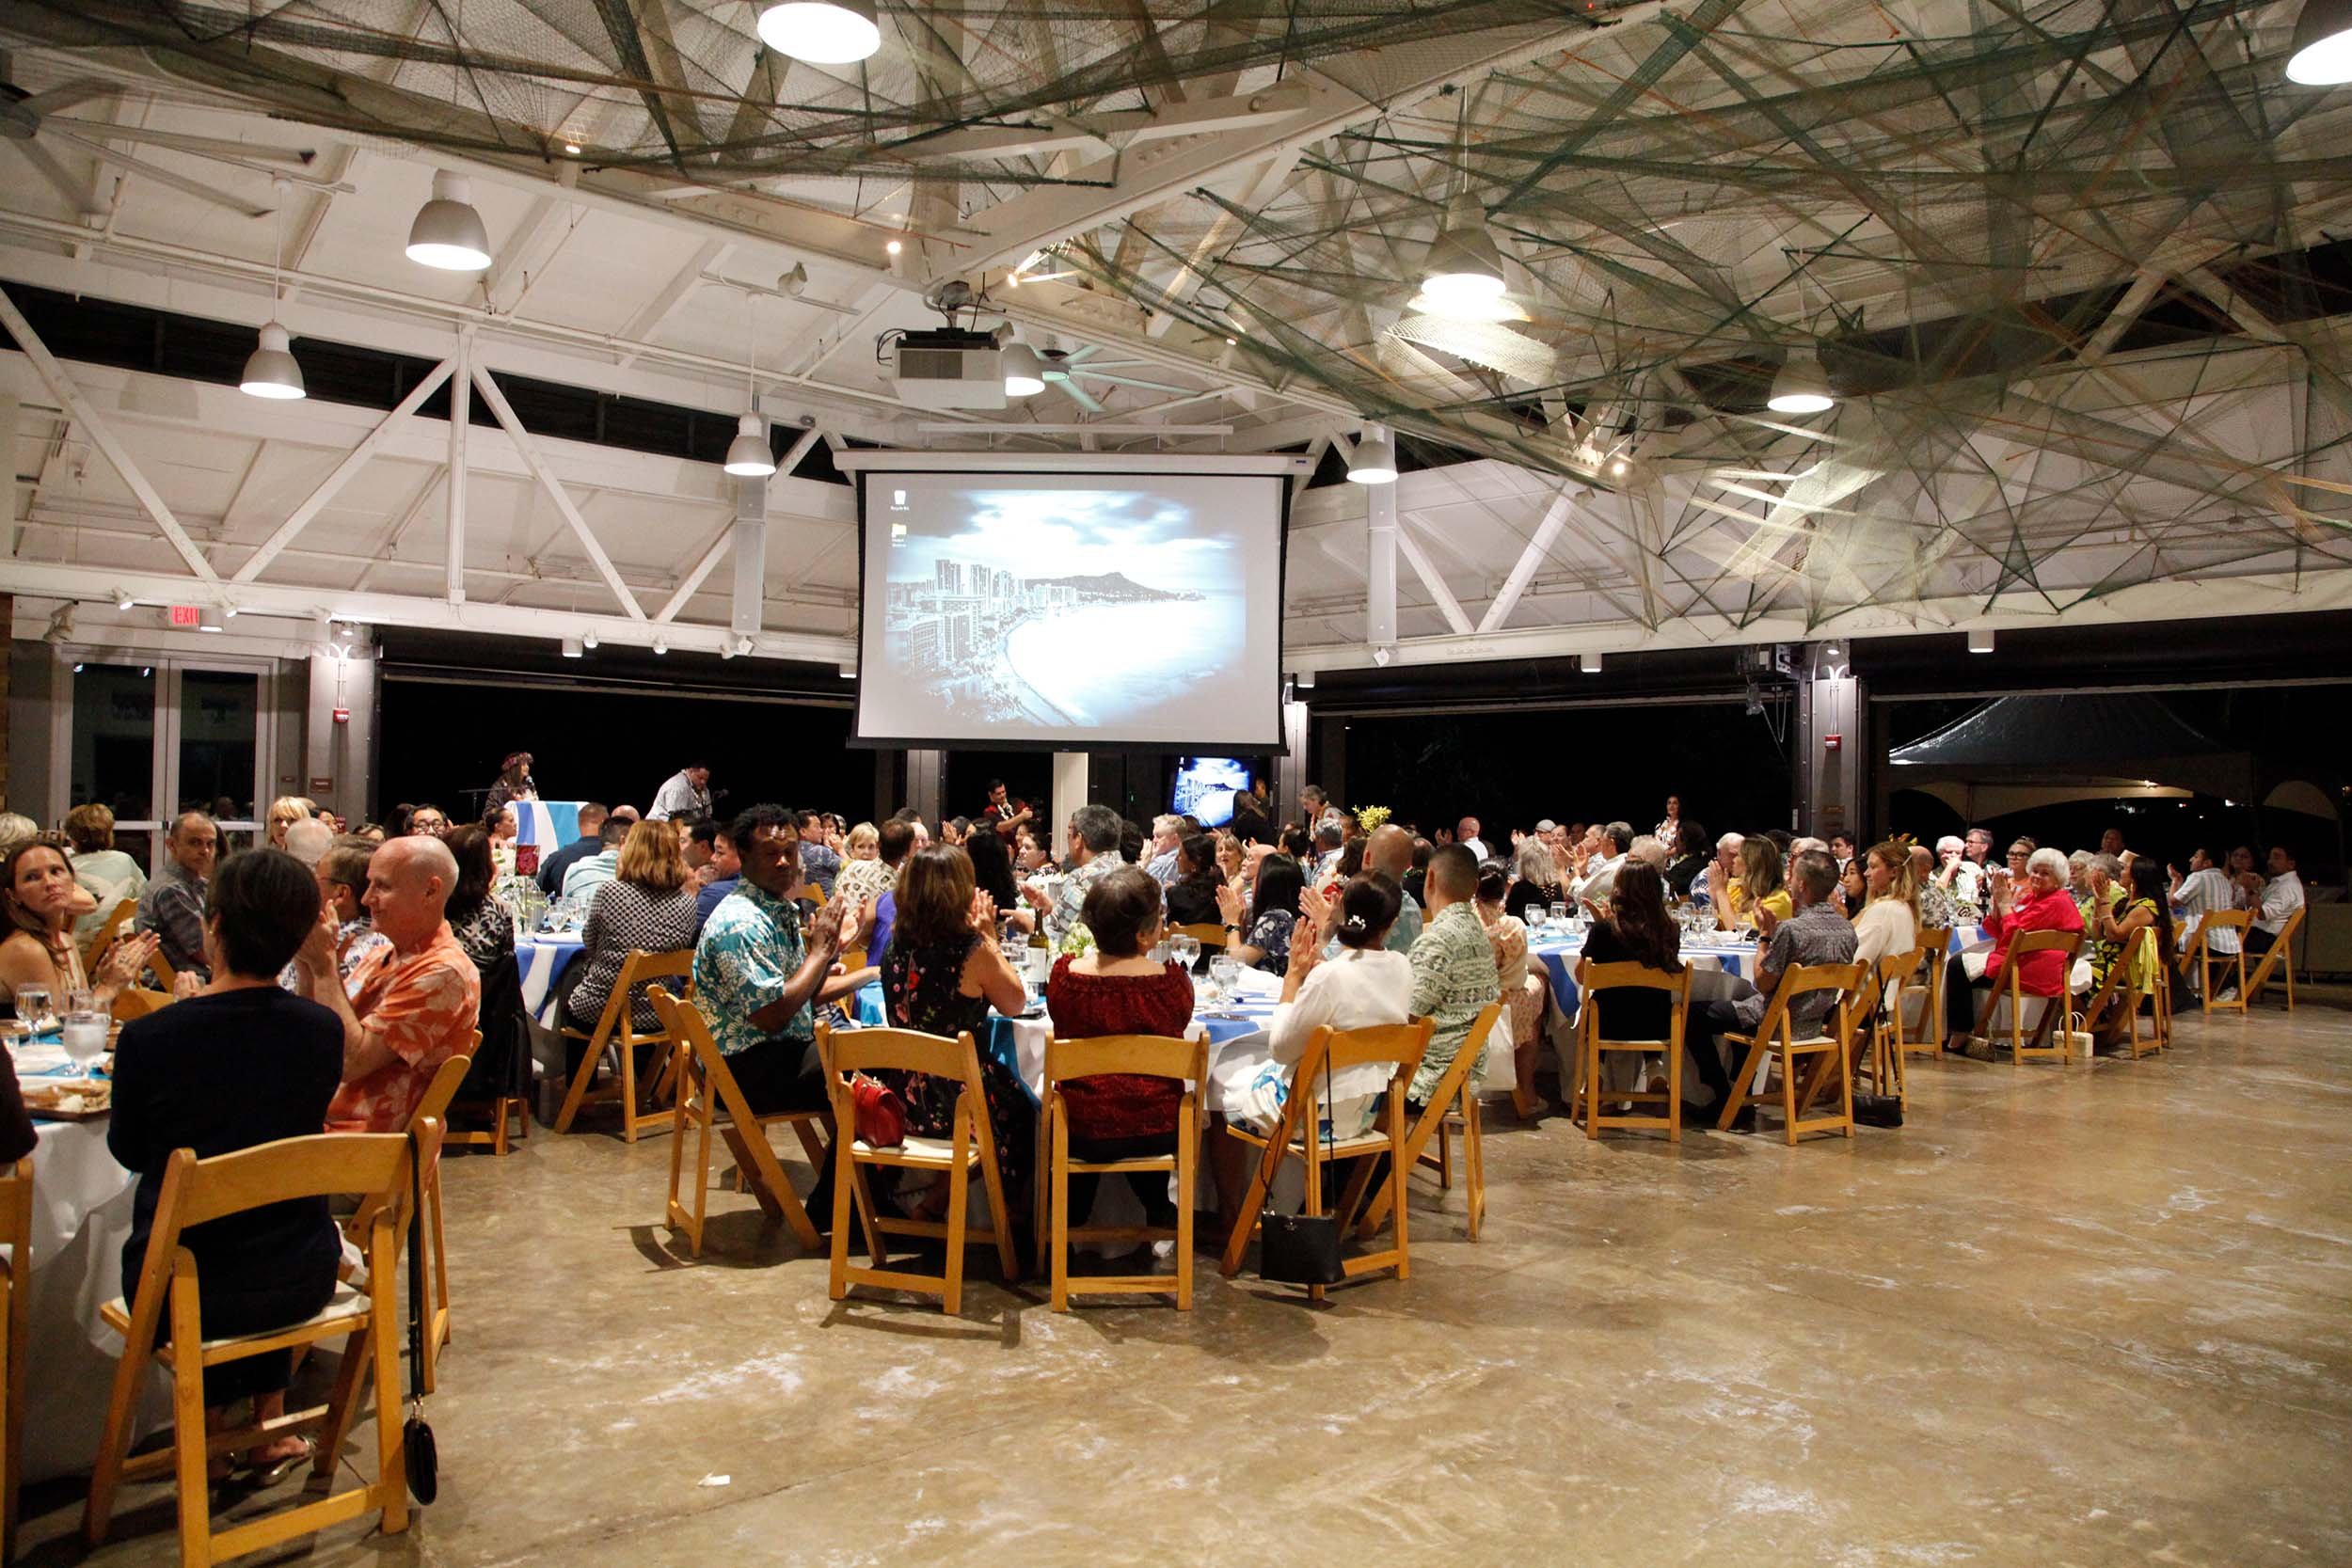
x=970, y=1144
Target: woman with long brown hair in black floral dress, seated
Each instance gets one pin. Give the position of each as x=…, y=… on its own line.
x=942, y=974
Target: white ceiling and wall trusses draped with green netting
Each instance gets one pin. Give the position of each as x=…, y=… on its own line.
x=2080, y=272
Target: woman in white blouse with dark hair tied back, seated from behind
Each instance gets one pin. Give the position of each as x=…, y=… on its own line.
x=1361, y=989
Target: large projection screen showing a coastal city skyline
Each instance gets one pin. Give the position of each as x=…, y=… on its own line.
x=1071, y=610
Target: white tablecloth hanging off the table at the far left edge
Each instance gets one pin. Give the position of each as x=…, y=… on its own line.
x=81, y=1221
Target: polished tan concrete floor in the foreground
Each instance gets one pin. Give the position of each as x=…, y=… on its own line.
x=2087, y=1315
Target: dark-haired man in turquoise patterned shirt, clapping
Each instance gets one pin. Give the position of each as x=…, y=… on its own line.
x=759, y=974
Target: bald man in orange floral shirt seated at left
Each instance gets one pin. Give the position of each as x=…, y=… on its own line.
x=410, y=1005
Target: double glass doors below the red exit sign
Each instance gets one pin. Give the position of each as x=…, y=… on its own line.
x=166, y=737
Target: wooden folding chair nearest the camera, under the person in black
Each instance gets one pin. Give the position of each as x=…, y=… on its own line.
x=199, y=1191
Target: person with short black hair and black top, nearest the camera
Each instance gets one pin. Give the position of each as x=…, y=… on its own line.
x=239, y=1066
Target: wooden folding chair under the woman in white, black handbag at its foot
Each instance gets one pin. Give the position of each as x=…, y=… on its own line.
x=1302, y=1125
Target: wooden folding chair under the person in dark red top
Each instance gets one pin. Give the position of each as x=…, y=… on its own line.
x=1130, y=1054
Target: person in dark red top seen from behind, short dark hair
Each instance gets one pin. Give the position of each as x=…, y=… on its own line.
x=1121, y=991
